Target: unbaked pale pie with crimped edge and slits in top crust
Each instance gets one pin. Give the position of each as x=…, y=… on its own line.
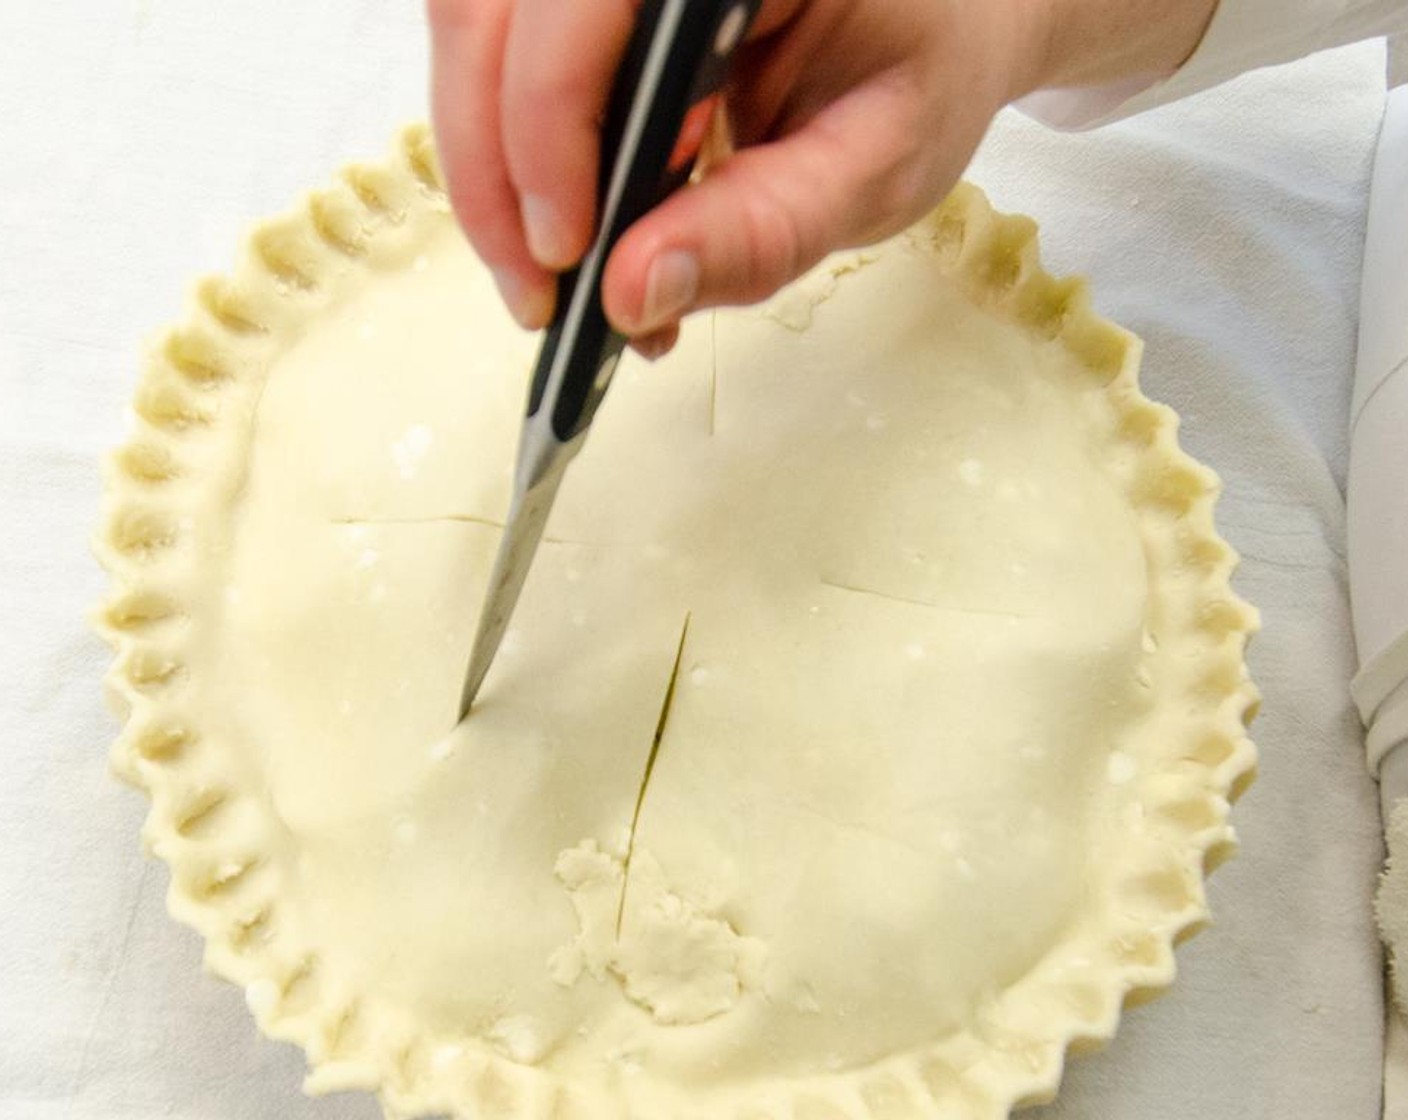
x=867, y=729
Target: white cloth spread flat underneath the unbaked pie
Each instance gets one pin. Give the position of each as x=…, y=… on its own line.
x=140, y=139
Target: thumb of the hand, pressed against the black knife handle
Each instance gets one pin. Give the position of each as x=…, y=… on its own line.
x=851, y=175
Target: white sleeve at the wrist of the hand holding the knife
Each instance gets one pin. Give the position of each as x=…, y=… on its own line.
x=1244, y=36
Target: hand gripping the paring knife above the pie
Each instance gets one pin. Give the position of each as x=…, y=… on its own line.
x=851, y=120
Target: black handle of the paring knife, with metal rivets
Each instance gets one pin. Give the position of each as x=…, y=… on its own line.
x=660, y=109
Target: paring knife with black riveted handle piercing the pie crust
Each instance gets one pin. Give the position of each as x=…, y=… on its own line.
x=657, y=119
